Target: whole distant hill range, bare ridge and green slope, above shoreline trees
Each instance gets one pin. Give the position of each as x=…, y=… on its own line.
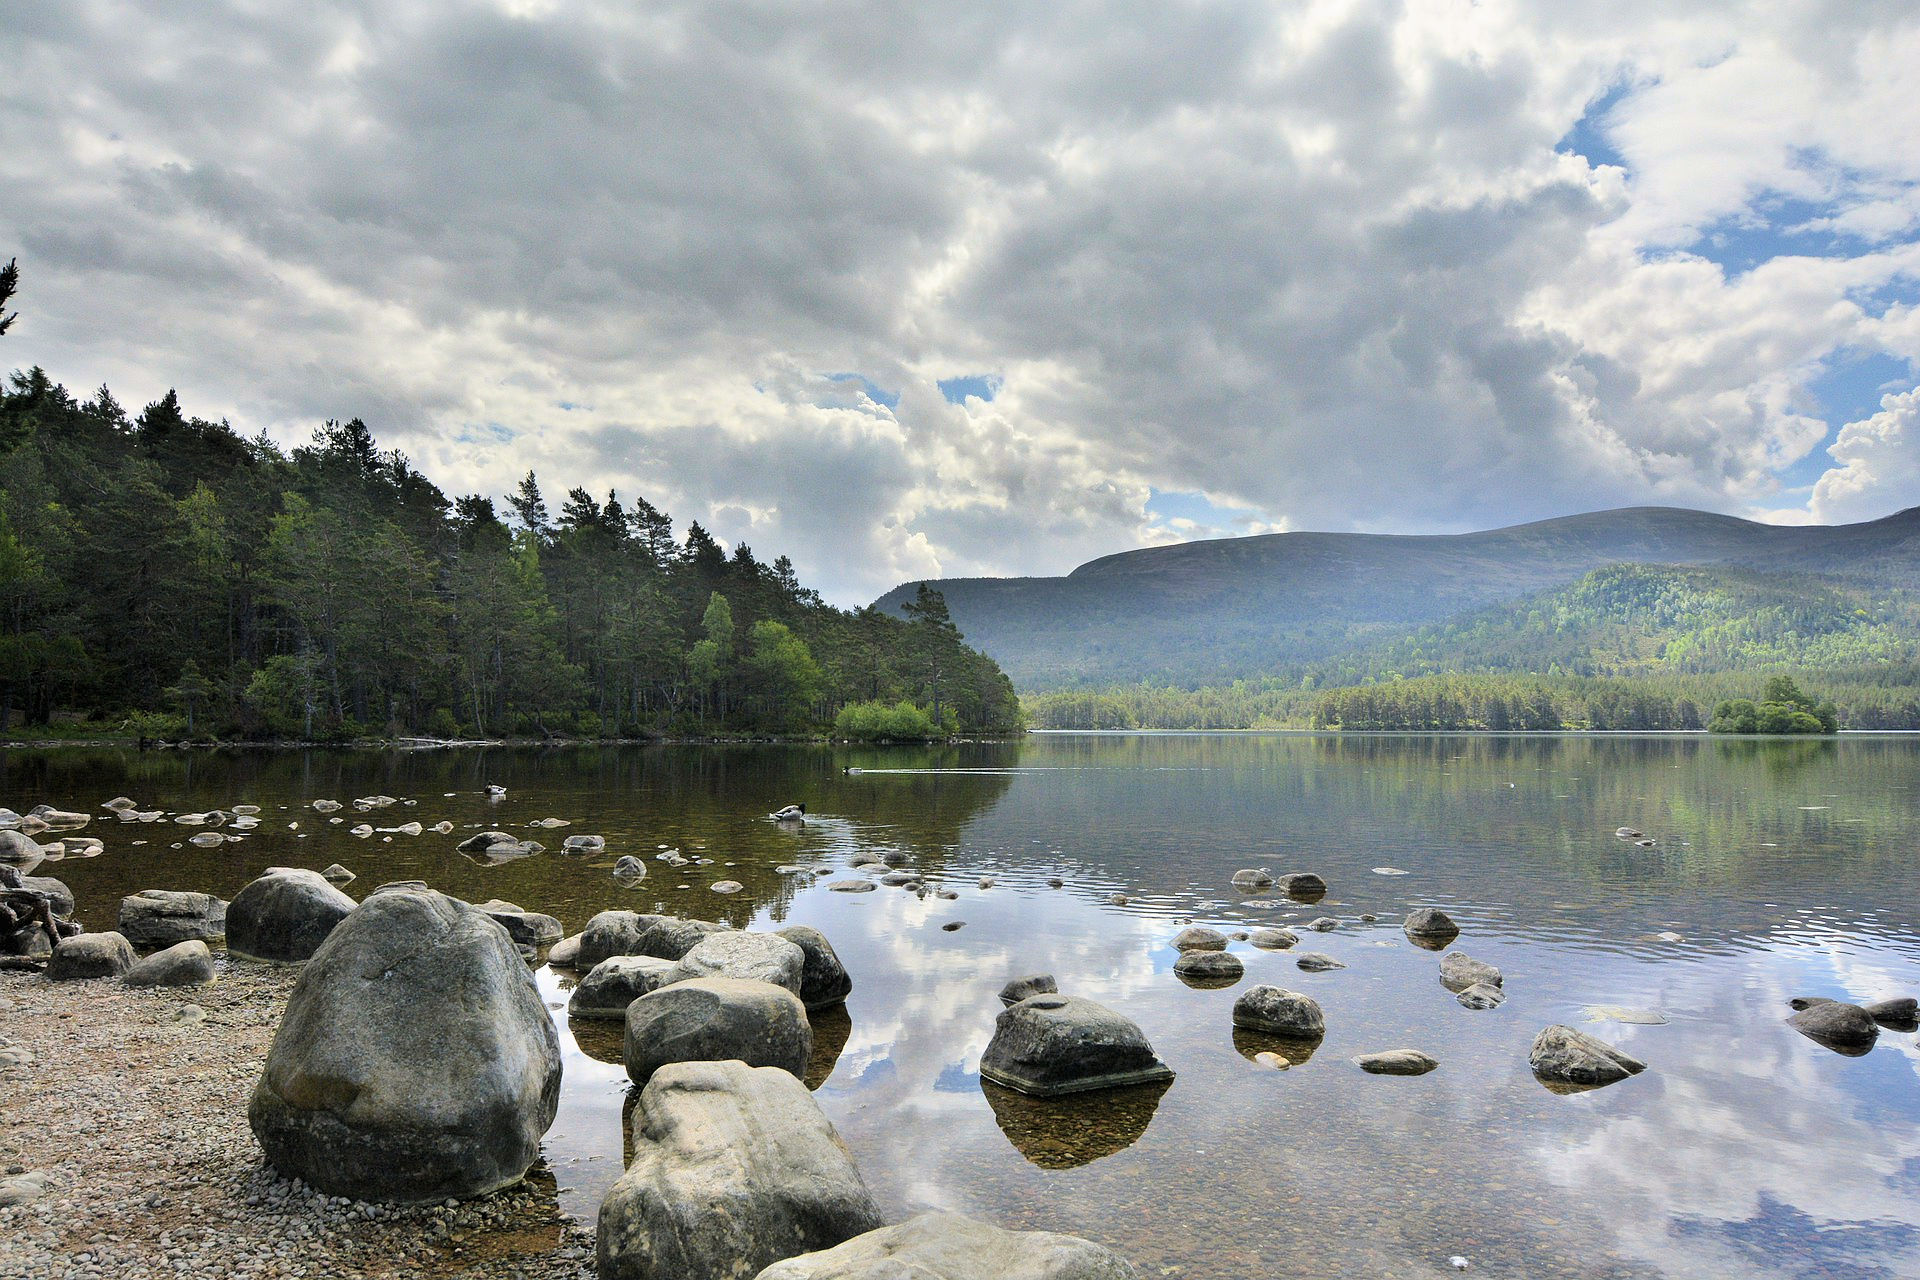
x=1355, y=605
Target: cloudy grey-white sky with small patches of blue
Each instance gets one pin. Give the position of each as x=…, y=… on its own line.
x=996, y=289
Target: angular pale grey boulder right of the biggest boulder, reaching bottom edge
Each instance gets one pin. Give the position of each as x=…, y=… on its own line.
x=734, y=1170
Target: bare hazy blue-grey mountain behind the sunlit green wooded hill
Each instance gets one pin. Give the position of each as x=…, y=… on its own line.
x=1236, y=609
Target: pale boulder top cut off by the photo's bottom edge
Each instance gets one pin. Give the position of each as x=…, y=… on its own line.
x=948, y=1246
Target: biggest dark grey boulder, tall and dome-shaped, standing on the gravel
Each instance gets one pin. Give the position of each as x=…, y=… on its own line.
x=416, y=1058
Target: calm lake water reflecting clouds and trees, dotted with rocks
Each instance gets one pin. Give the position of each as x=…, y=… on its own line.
x=1787, y=868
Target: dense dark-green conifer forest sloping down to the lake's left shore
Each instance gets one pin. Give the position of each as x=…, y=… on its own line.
x=162, y=571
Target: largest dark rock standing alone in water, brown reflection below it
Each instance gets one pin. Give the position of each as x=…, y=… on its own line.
x=1067, y=1045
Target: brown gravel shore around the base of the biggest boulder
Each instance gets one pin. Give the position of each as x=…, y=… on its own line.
x=133, y=1108
